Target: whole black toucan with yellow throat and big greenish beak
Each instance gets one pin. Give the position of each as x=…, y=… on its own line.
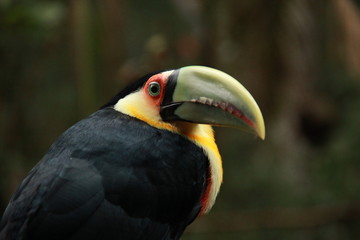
x=144, y=166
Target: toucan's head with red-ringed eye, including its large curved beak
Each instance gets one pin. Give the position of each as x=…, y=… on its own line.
x=193, y=94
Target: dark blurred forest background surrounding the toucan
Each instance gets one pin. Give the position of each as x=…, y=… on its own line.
x=300, y=59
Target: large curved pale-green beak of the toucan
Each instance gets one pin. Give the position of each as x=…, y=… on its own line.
x=205, y=95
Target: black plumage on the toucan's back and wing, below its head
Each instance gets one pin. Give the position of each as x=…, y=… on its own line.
x=110, y=176
